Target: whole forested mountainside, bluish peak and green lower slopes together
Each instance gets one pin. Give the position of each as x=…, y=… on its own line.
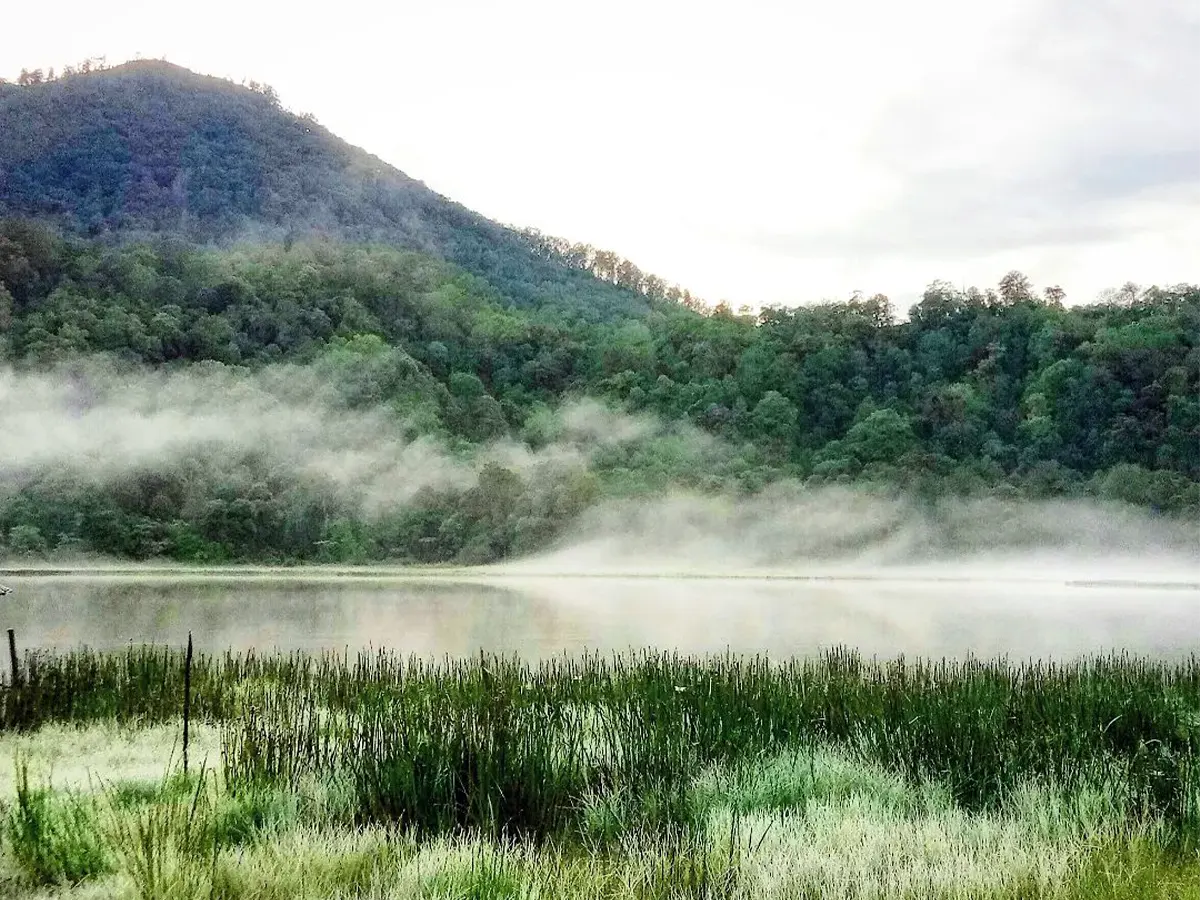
x=155, y=221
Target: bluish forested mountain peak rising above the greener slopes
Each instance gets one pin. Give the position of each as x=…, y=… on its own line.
x=151, y=148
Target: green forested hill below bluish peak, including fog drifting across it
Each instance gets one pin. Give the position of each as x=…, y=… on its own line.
x=343, y=403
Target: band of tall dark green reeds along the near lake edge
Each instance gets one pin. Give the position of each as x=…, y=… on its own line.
x=506, y=747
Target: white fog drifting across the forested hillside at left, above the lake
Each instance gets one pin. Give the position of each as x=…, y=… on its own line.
x=94, y=424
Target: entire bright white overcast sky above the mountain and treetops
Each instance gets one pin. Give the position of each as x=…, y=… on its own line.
x=753, y=152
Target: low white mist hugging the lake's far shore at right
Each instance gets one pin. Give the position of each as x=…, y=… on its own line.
x=793, y=531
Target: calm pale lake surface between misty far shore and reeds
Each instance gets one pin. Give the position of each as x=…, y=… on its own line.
x=881, y=613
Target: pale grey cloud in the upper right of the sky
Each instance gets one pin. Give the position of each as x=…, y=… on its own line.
x=1075, y=124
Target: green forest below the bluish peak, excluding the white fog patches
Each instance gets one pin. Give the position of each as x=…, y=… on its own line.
x=979, y=391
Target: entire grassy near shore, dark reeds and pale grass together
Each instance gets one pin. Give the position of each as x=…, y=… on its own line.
x=629, y=777
